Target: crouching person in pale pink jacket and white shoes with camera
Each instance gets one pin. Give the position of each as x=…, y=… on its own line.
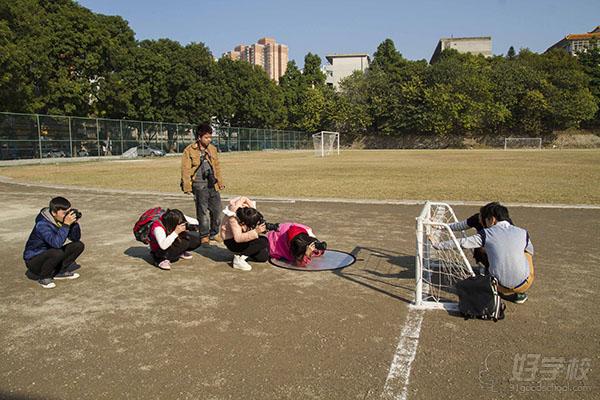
x=241, y=233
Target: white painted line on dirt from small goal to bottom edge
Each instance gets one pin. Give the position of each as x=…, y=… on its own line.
x=396, y=384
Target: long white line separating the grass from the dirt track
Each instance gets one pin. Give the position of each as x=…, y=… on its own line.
x=4, y=179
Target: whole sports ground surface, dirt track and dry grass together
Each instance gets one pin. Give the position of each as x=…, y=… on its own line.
x=126, y=329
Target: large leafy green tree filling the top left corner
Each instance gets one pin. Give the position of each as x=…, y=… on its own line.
x=71, y=53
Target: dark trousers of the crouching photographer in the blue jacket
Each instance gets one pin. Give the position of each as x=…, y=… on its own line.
x=50, y=262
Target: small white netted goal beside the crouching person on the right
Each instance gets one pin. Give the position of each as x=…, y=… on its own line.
x=437, y=271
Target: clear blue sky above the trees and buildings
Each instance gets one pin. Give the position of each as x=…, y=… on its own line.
x=350, y=26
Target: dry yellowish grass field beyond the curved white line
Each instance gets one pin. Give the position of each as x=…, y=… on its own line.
x=565, y=176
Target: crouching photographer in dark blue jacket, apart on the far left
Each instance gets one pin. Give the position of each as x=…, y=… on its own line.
x=46, y=255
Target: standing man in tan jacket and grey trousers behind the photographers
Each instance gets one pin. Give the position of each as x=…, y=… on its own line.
x=201, y=175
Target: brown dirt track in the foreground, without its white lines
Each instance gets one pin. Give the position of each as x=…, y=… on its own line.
x=127, y=330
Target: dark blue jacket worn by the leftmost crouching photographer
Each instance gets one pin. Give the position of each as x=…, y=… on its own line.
x=48, y=234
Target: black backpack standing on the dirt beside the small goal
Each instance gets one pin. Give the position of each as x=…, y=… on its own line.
x=478, y=298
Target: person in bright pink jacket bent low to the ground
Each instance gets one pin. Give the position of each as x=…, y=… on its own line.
x=295, y=243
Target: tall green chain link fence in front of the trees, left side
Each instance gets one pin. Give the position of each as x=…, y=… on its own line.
x=33, y=136
